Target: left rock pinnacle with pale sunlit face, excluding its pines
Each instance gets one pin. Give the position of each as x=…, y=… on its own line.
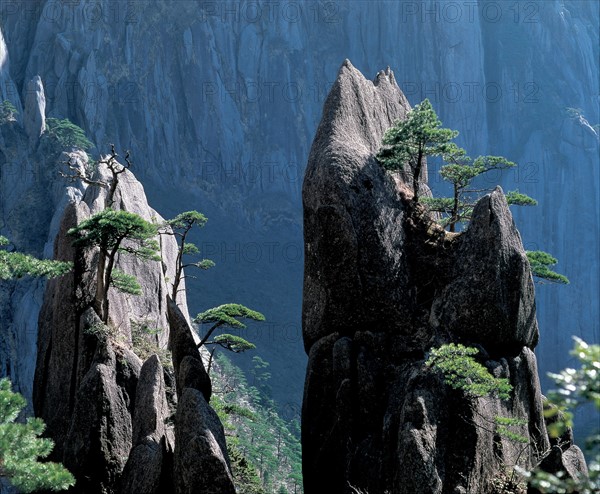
x=107, y=411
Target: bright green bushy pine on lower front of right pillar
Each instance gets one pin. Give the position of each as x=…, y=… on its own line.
x=462, y=371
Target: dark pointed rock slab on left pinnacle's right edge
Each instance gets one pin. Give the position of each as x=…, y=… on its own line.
x=187, y=362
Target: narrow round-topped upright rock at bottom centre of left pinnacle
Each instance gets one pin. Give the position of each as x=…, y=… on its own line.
x=148, y=467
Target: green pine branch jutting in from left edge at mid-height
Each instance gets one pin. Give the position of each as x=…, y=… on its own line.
x=17, y=265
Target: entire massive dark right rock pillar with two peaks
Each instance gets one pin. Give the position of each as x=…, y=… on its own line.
x=383, y=285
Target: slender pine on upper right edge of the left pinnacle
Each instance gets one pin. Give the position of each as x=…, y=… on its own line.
x=180, y=227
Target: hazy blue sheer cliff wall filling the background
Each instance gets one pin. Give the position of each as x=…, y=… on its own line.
x=219, y=101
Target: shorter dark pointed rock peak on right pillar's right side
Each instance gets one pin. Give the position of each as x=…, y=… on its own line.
x=491, y=298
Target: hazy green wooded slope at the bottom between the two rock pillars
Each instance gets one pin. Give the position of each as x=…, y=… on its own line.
x=264, y=448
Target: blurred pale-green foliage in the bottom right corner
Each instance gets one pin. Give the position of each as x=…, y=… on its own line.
x=576, y=387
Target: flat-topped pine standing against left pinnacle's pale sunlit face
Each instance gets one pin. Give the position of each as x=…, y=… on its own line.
x=114, y=232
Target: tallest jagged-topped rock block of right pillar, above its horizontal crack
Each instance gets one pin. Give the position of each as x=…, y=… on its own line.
x=353, y=233
